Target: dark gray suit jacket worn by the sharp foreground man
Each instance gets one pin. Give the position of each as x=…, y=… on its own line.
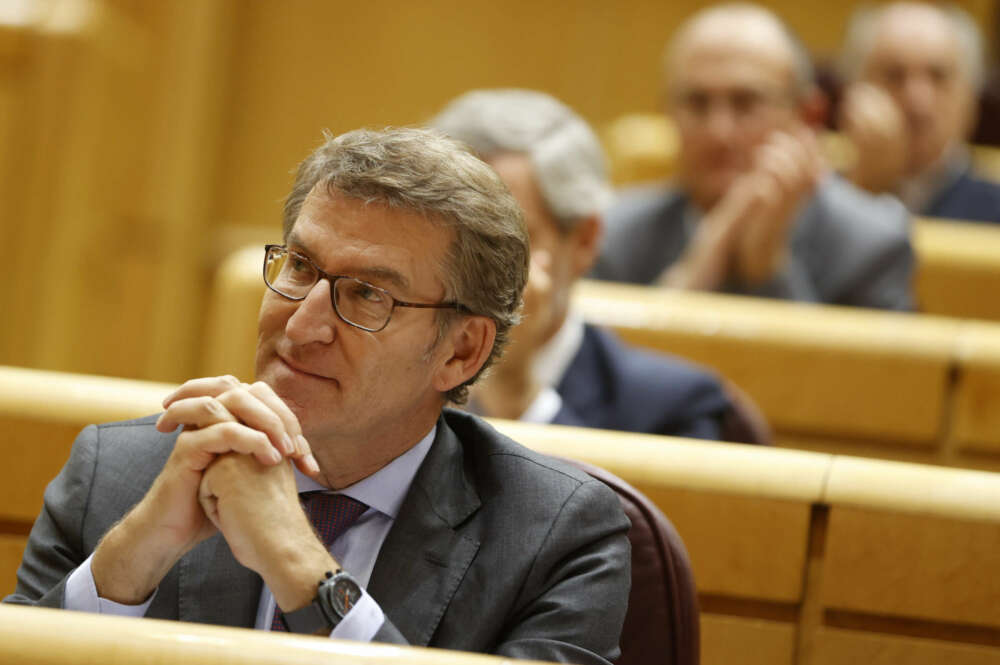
x=495, y=549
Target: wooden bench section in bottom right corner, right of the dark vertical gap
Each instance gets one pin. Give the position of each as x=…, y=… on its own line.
x=909, y=565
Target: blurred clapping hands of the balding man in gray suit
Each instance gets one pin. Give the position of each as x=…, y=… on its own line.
x=744, y=237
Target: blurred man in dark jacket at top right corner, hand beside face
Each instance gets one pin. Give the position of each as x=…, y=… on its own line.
x=915, y=71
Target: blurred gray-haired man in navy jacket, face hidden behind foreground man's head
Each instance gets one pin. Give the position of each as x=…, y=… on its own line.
x=558, y=369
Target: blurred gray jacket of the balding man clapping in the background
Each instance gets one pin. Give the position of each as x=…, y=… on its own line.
x=847, y=247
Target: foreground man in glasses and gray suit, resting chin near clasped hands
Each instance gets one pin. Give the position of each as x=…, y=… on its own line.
x=400, y=277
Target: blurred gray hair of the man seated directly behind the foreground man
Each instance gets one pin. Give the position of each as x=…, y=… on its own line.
x=566, y=155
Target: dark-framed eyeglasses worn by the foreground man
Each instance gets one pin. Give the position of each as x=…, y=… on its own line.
x=357, y=303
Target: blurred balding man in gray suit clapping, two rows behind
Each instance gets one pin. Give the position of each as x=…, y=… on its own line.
x=755, y=211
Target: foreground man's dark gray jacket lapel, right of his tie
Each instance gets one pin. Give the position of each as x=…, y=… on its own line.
x=424, y=558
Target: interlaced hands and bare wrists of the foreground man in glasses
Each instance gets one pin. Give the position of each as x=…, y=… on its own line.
x=228, y=472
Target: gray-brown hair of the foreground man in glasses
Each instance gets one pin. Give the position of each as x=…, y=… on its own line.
x=422, y=171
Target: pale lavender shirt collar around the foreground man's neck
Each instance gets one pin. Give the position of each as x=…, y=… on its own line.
x=385, y=489
